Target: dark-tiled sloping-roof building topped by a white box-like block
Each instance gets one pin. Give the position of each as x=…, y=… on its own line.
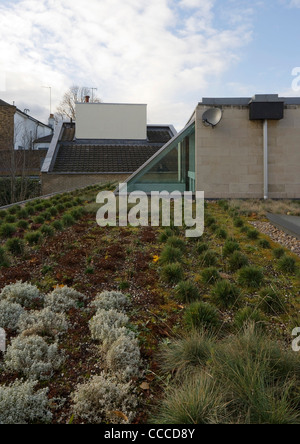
x=107, y=143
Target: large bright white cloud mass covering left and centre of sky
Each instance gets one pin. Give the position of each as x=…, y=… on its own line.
x=164, y=53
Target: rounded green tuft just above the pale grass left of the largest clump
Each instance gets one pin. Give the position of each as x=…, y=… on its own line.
x=202, y=316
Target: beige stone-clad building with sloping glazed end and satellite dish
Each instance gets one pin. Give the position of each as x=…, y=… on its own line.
x=252, y=152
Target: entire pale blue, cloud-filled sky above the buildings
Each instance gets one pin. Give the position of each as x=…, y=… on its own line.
x=168, y=54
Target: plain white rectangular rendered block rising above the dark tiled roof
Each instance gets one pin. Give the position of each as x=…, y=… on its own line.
x=111, y=121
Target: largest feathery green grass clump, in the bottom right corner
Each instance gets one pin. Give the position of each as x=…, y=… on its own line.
x=258, y=379
